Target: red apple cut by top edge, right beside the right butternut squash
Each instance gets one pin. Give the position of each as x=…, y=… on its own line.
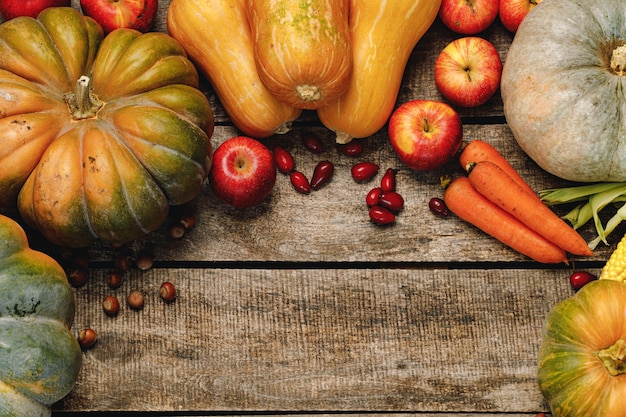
x=468, y=17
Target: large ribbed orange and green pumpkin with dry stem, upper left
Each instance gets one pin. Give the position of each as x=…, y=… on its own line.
x=99, y=136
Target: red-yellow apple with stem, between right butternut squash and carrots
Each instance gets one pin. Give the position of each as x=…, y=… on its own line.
x=425, y=134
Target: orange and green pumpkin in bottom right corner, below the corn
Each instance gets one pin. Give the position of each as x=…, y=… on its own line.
x=571, y=376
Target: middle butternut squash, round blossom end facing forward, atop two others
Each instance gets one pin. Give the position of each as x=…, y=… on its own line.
x=302, y=49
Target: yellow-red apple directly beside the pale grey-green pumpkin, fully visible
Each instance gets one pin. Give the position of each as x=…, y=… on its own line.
x=468, y=71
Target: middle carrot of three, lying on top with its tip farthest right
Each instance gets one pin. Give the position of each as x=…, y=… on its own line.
x=495, y=184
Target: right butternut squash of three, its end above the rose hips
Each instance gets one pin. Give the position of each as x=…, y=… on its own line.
x=384, y=33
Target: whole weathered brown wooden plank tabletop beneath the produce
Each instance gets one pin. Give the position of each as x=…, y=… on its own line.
x=302, y=306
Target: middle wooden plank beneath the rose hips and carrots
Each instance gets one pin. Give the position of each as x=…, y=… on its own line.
x=332, y=224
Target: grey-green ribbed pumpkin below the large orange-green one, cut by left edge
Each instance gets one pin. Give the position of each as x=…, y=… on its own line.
x=39, y=357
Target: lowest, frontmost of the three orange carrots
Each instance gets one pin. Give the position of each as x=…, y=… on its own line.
x=463, y=200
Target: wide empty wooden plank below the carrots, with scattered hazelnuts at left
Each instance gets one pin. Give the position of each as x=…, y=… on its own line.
x=318, y=339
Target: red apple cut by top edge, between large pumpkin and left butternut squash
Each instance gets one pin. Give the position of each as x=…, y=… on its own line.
x=114, y=14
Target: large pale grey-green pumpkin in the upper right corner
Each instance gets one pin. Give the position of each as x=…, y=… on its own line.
x=563, y=88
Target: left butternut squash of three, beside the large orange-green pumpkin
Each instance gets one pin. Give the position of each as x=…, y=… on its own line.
x=216, y=35
